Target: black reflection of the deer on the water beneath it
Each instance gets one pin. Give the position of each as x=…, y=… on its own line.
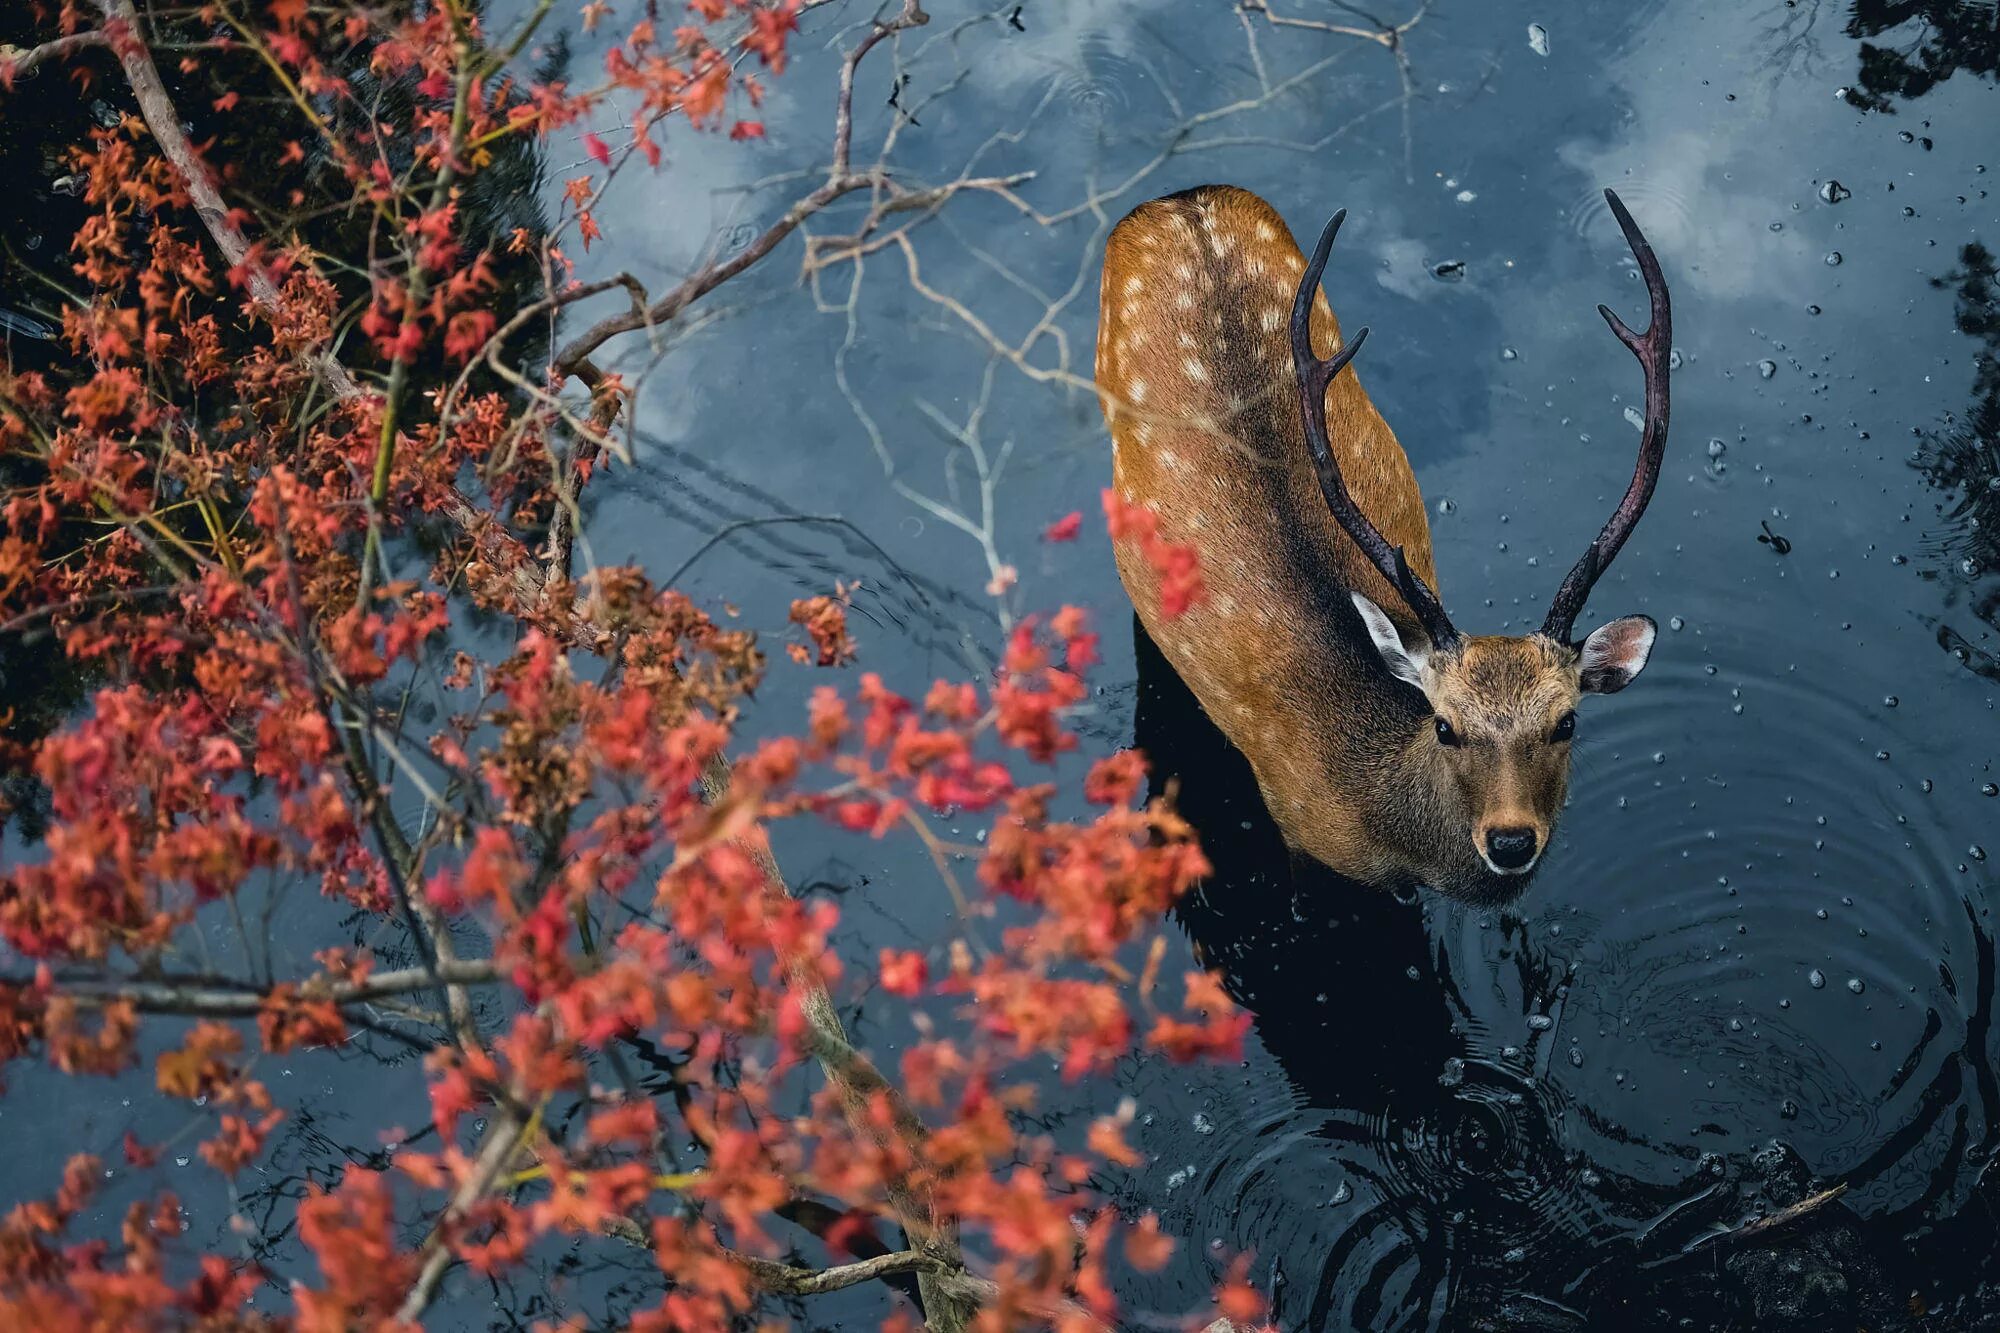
x=1471, y=1204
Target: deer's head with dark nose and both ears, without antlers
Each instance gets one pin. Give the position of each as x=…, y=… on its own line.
x=1497, y=754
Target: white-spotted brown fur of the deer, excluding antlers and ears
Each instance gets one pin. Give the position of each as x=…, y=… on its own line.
x=1197, y=381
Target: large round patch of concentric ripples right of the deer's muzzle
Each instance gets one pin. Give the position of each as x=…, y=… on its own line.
x=1699, y=892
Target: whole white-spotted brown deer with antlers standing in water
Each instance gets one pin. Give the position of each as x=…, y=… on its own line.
x=1387, y=746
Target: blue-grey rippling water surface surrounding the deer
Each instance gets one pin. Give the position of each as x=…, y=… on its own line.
x=1763, y=942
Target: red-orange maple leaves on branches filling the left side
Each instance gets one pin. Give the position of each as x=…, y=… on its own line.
x=201, y=529
